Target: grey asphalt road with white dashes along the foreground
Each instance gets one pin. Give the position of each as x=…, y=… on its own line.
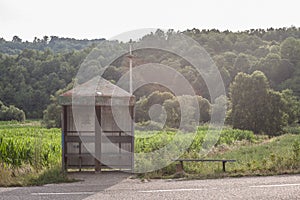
x=120, y=186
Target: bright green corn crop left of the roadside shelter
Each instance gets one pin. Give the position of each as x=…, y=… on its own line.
x=36, y=146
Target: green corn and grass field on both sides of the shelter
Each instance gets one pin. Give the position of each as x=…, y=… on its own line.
x=31, y=155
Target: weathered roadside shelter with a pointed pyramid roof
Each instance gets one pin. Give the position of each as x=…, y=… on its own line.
x=97, y=126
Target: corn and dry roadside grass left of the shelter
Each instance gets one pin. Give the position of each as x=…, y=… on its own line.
x=29, y=154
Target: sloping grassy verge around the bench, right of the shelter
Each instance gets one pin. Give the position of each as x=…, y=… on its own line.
x=279, y=155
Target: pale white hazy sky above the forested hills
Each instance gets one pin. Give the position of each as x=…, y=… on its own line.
x=97, y=19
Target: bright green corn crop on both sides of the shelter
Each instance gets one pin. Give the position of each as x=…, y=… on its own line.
x=40, y=147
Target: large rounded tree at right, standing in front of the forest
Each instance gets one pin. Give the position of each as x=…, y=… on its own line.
x=255, y=106
